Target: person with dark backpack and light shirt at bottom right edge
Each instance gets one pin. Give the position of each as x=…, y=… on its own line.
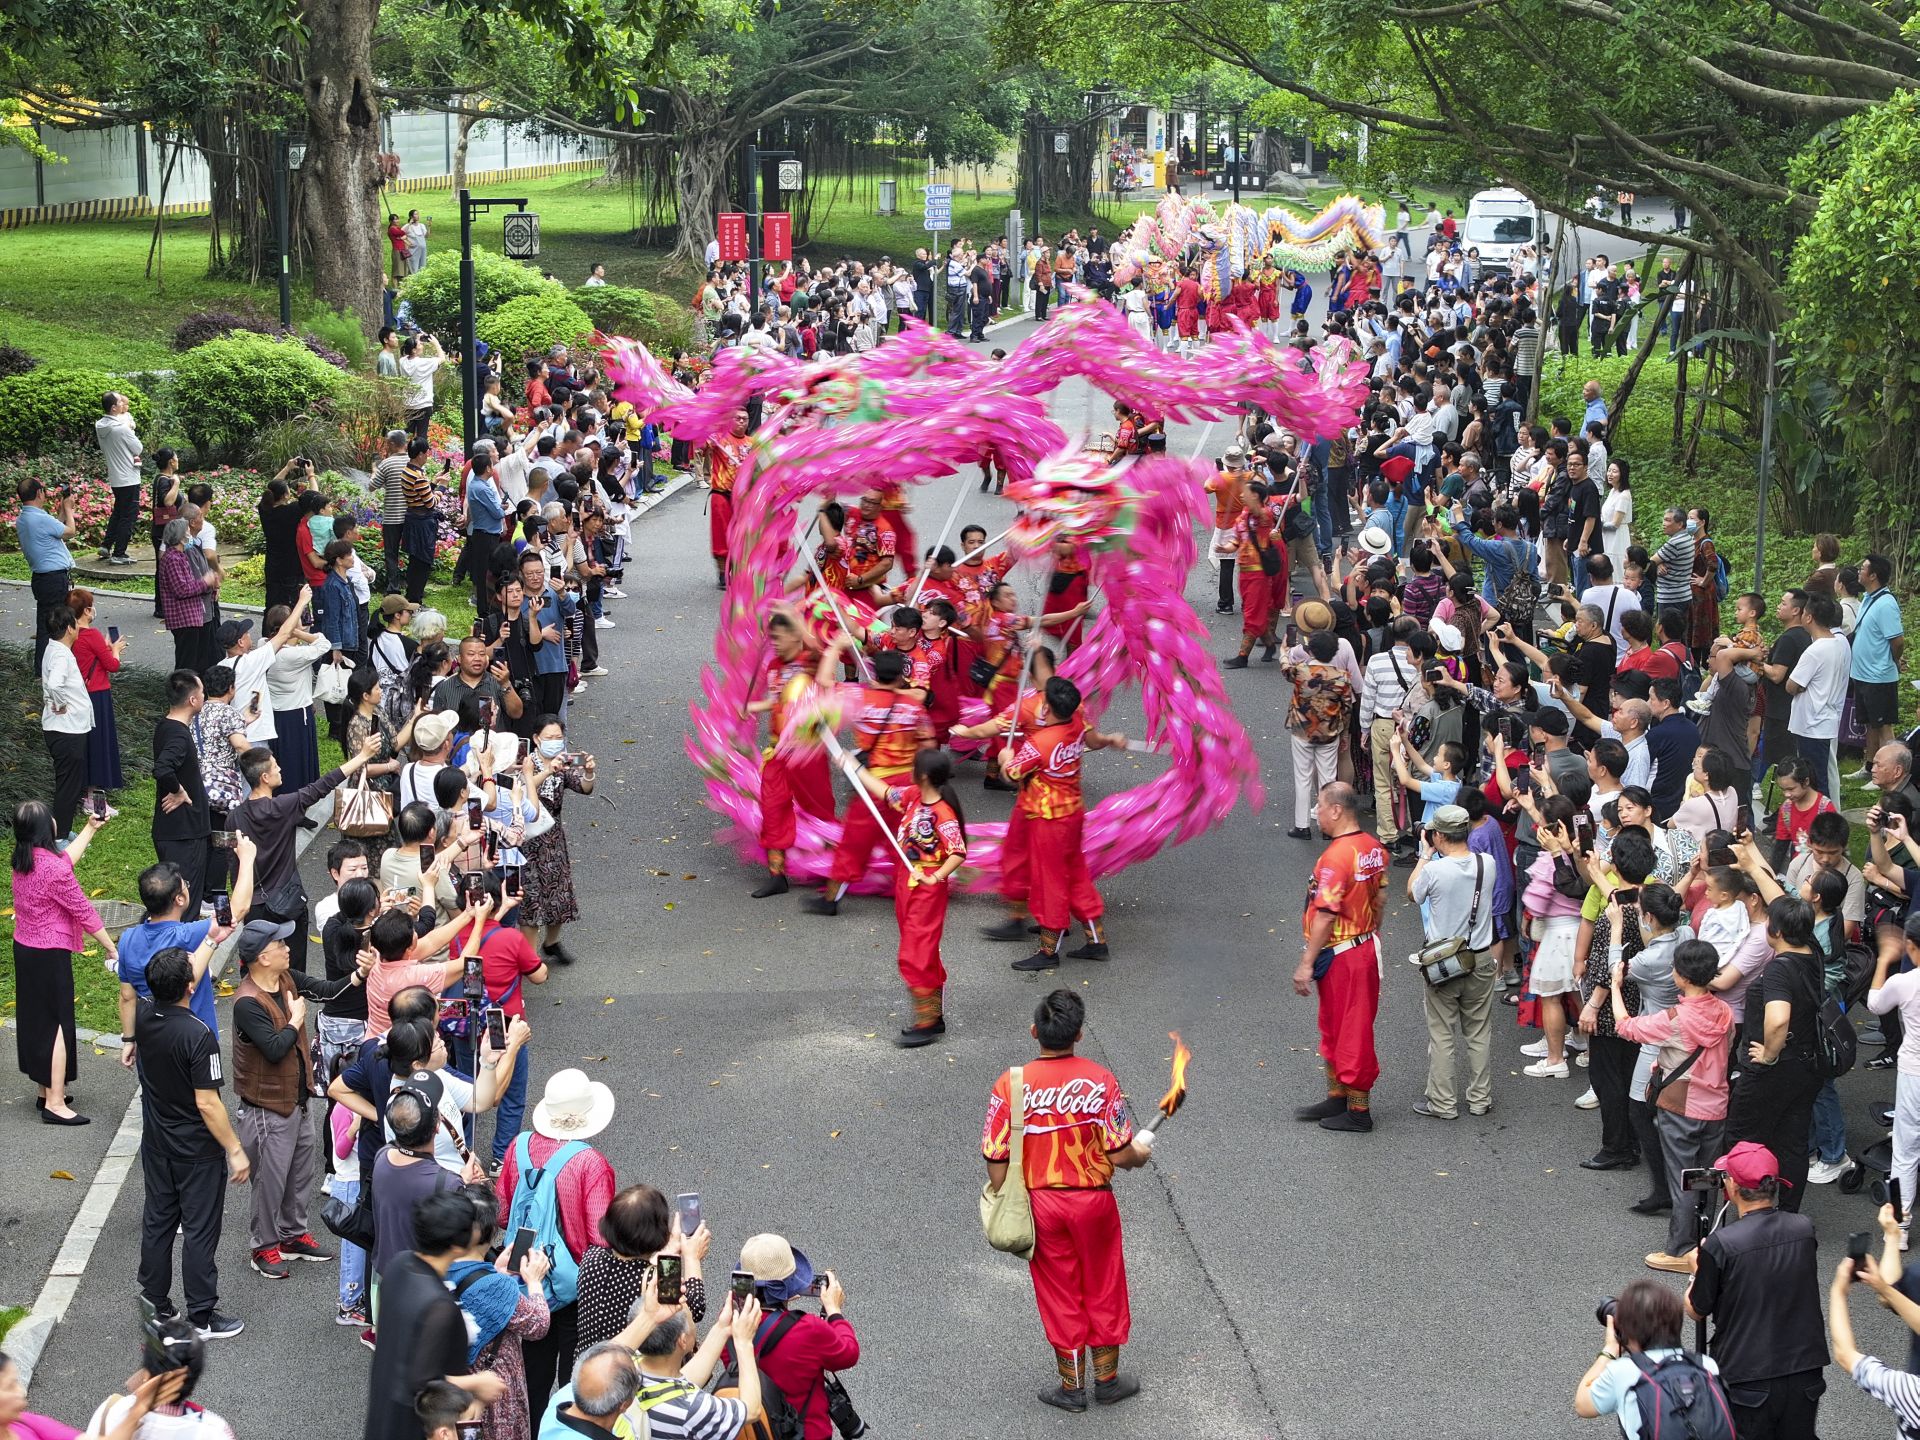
x=1644, y=1368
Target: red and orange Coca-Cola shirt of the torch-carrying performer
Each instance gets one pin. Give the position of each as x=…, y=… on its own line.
x=1074, y=1116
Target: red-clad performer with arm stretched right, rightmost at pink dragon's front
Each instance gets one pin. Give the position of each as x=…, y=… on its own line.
x=1059, y=888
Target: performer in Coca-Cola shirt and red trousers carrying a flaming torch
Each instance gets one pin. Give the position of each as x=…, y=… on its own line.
x=1076, y=1132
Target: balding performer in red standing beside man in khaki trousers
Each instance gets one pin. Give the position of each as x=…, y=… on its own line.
x=1343, y=957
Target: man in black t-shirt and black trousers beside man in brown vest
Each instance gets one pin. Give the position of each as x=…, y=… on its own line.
x=185, y=1132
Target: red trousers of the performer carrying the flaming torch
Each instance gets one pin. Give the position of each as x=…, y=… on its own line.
x=1080, y=1270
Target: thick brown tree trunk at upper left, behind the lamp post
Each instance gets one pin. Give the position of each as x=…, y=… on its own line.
x=343, y=172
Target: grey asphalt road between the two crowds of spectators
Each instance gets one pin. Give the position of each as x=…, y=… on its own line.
x=1431, y=1278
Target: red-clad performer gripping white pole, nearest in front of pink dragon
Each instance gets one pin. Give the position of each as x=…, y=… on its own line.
x=932, y=832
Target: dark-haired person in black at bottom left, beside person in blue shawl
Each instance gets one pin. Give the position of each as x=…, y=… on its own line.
x=423, y=1335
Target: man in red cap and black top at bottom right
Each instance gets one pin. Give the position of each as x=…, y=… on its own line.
x=1758, y=1282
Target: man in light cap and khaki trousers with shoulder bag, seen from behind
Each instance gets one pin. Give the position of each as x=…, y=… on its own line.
x=1454, y=892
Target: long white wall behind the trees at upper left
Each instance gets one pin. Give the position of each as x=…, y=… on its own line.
x=116, y=174
